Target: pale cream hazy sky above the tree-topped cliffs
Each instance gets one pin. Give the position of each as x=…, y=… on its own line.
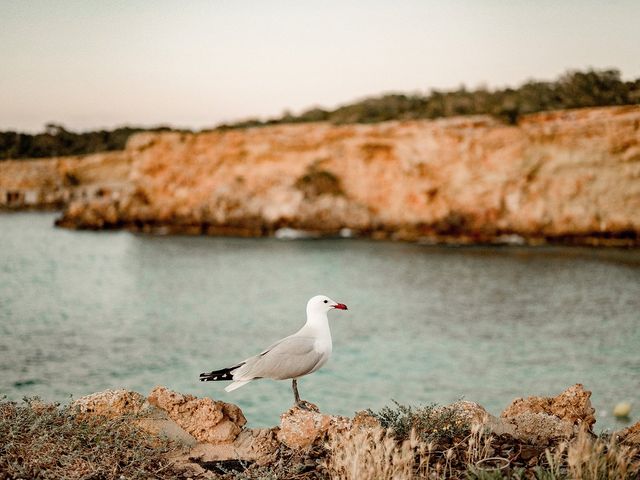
x=90, y=64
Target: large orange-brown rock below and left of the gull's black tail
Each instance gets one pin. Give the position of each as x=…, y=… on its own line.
x=205, y=419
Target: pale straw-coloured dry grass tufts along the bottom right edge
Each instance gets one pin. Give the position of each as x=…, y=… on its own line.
x=378, y=454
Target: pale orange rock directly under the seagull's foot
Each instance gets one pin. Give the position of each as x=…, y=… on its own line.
x=300, y=428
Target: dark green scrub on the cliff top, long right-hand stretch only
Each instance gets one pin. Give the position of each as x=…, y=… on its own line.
x=574, y=89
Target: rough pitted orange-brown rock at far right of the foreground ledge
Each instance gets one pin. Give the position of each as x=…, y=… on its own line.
x=541, y=419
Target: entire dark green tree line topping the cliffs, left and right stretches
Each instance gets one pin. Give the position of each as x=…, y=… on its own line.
x=574, y=89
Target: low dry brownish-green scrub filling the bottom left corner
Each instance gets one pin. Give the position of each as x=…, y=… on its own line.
x=48, y=441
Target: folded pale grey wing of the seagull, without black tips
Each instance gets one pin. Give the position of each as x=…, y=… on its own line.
x=291, y=357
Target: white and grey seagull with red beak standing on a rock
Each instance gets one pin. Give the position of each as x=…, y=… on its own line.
x=292, y=357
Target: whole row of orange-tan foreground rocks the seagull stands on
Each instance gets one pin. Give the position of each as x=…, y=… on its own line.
x=210, y=435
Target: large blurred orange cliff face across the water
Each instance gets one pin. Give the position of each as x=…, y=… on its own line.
x=567, y=174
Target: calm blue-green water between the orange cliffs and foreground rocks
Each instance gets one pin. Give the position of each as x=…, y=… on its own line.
x=83, y=311
